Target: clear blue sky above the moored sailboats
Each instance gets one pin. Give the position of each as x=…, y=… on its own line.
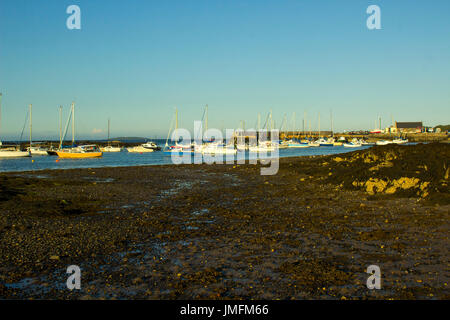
x=135, y=61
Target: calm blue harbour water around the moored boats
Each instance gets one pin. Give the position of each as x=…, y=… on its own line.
x=121, y=159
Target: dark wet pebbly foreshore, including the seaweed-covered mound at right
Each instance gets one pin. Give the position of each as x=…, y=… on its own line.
x=226, y=232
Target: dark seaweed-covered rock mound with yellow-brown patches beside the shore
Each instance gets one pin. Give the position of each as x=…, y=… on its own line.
x=420, y=171
